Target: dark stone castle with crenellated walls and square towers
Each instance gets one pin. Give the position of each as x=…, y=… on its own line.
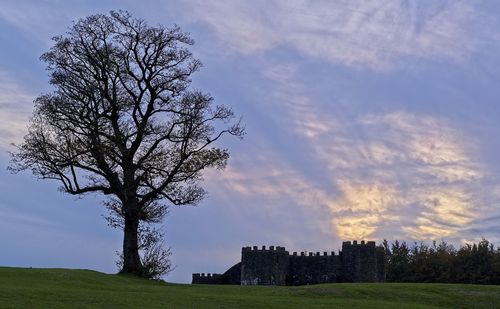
x=357, y=262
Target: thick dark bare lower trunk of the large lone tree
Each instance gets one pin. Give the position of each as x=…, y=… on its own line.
x=131, y=260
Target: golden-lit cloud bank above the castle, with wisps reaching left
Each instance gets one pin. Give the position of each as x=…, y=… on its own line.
x=393, y=174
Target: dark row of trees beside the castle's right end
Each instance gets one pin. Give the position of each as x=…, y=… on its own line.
x=441, y=262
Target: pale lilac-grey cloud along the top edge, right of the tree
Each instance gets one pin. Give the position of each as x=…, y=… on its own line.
x=363, y=34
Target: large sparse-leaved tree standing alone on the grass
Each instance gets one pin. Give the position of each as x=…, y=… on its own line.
x=122, y=121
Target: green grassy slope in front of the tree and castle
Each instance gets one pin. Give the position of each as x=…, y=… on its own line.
x=64, y=288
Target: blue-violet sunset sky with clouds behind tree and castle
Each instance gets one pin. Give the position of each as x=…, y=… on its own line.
x=365, y=120
